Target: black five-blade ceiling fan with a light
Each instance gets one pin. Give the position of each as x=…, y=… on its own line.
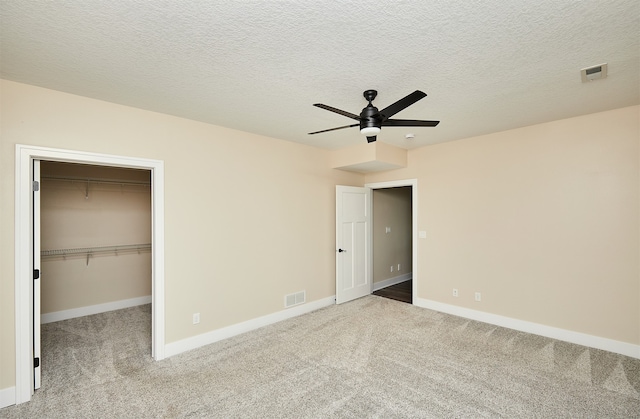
x=371, y=120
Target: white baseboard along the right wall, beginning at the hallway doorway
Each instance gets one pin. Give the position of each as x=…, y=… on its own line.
x=591, y=341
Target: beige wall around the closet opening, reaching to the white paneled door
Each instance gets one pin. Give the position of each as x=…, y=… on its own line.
x=248, y=218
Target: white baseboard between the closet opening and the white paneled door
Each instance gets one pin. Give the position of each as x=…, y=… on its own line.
x=198, y=341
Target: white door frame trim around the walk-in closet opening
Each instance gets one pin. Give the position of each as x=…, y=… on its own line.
x=25, y=155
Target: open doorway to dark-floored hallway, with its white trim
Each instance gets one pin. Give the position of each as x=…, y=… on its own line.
x=395, y=246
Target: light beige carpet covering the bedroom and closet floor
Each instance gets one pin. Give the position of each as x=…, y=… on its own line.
x=372, y=357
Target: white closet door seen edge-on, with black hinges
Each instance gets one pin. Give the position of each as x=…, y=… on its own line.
x=35, y=222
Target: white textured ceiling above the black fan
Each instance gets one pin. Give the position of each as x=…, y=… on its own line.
x=258, y=66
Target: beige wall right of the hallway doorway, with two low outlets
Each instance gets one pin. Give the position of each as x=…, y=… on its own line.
x=542, y=220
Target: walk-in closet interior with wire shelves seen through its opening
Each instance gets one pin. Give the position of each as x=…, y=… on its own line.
x=95, y=271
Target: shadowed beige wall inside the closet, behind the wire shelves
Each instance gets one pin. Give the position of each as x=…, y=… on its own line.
x=105, y=215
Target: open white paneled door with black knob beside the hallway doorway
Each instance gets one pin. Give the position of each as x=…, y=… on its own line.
x=354, y=274
